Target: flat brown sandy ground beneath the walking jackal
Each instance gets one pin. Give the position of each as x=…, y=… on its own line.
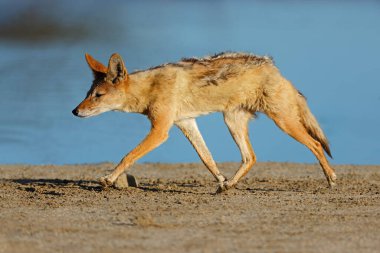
x=278, y=207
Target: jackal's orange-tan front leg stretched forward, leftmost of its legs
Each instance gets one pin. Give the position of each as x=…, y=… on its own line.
x=157, y=135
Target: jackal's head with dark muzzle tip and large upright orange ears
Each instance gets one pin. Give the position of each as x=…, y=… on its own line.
x=108, y=89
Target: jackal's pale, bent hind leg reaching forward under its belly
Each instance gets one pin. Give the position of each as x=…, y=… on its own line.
x=237, y=122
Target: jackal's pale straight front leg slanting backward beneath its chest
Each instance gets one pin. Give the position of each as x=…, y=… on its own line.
x=190, y=129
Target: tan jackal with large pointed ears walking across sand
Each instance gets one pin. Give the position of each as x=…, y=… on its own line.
x=235, y=84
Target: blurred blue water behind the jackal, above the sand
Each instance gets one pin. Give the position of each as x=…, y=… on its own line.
x=328, y=49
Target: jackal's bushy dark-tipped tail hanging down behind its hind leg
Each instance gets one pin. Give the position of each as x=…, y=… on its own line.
x=311, y=124
